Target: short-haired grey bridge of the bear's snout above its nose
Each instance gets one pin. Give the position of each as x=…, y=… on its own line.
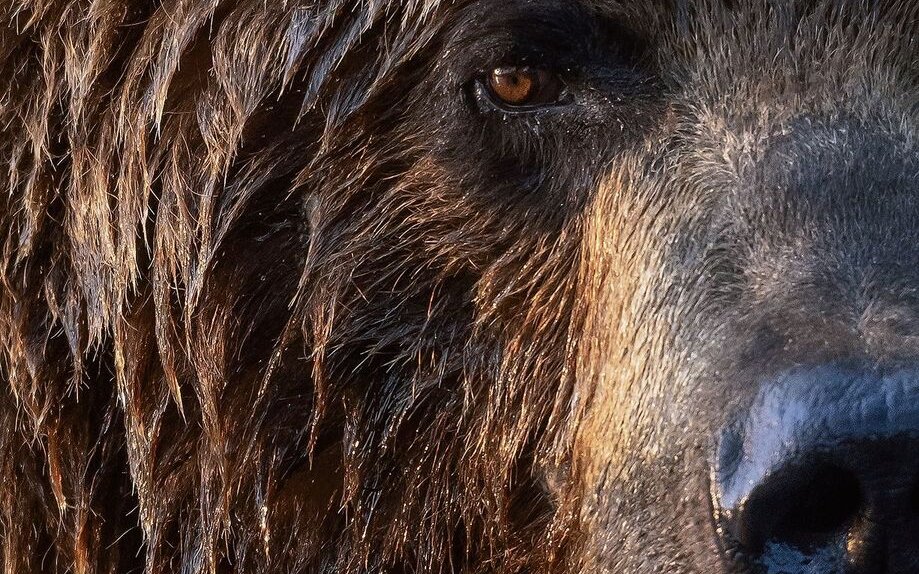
x=826, y=224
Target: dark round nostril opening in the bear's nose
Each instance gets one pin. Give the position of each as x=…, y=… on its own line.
x=805, y=508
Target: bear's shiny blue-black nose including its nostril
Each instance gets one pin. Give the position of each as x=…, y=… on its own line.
x=821, y=474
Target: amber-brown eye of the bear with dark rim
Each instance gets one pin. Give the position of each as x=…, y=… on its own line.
x=521, y=88
